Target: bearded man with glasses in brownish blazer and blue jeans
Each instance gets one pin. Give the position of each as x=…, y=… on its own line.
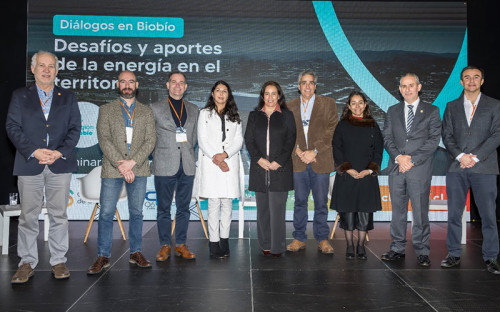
x=126, y=133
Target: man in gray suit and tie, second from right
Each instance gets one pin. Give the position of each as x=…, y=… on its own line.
x=411, y=132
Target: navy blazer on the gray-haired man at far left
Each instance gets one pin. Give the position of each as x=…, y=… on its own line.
x=27, y=128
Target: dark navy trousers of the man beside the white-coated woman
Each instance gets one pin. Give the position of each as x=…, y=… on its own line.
x=165, y=186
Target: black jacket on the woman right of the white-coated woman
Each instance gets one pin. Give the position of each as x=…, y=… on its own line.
x=282, y=134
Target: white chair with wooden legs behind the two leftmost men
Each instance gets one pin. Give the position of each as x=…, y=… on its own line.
x=90, y=191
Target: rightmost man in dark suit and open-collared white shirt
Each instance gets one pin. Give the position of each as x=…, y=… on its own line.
x=471, y=135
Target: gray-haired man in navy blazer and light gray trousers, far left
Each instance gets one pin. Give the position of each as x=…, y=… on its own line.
x=43, y=123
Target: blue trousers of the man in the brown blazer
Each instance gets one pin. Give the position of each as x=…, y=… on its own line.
x=305, y=182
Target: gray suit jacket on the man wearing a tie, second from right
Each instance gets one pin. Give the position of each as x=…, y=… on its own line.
x=420, y=143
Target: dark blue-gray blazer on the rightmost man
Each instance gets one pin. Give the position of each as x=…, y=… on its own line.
x=481, y=138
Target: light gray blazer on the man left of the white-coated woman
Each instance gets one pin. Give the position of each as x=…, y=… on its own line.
x=168, y=153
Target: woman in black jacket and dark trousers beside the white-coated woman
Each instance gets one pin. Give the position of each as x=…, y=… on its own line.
x=270, y=138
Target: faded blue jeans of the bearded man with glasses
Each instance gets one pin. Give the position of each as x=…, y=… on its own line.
x=110, y=191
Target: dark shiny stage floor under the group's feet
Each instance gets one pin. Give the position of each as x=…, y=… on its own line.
x=248, y=281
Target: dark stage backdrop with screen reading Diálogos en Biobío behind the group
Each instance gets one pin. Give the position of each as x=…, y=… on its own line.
x=352, y=45
